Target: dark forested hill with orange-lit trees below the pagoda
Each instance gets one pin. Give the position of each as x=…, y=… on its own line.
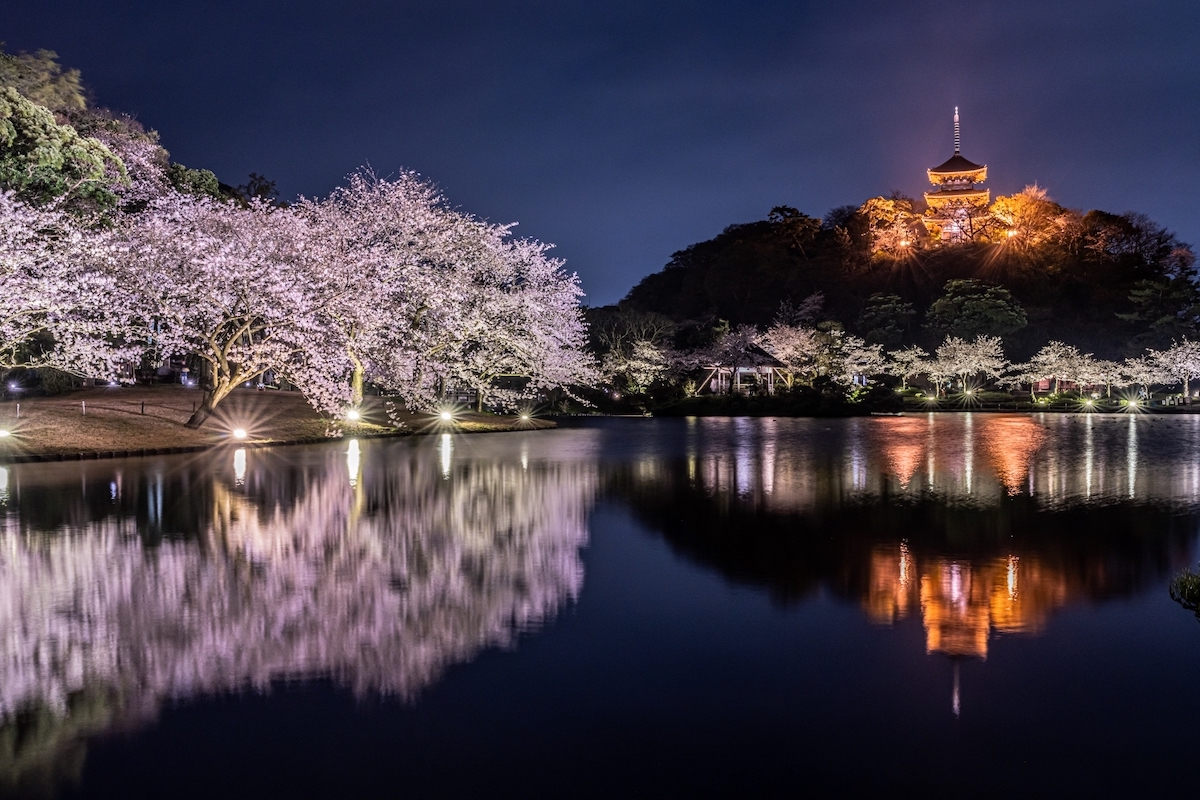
x=1035, y=272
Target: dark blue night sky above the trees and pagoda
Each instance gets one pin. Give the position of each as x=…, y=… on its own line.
x=623, y=131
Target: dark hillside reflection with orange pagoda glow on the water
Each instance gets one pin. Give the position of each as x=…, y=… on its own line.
x=800, y=506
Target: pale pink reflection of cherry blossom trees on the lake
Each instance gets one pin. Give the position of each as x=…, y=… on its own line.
x=377, y=570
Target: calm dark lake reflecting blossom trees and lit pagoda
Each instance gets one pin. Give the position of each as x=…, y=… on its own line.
x=955, y=605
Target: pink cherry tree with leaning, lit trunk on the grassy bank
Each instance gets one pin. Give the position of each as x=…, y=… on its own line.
x=238, y=288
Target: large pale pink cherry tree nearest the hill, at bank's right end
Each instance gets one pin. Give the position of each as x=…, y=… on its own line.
x=430, y=297
